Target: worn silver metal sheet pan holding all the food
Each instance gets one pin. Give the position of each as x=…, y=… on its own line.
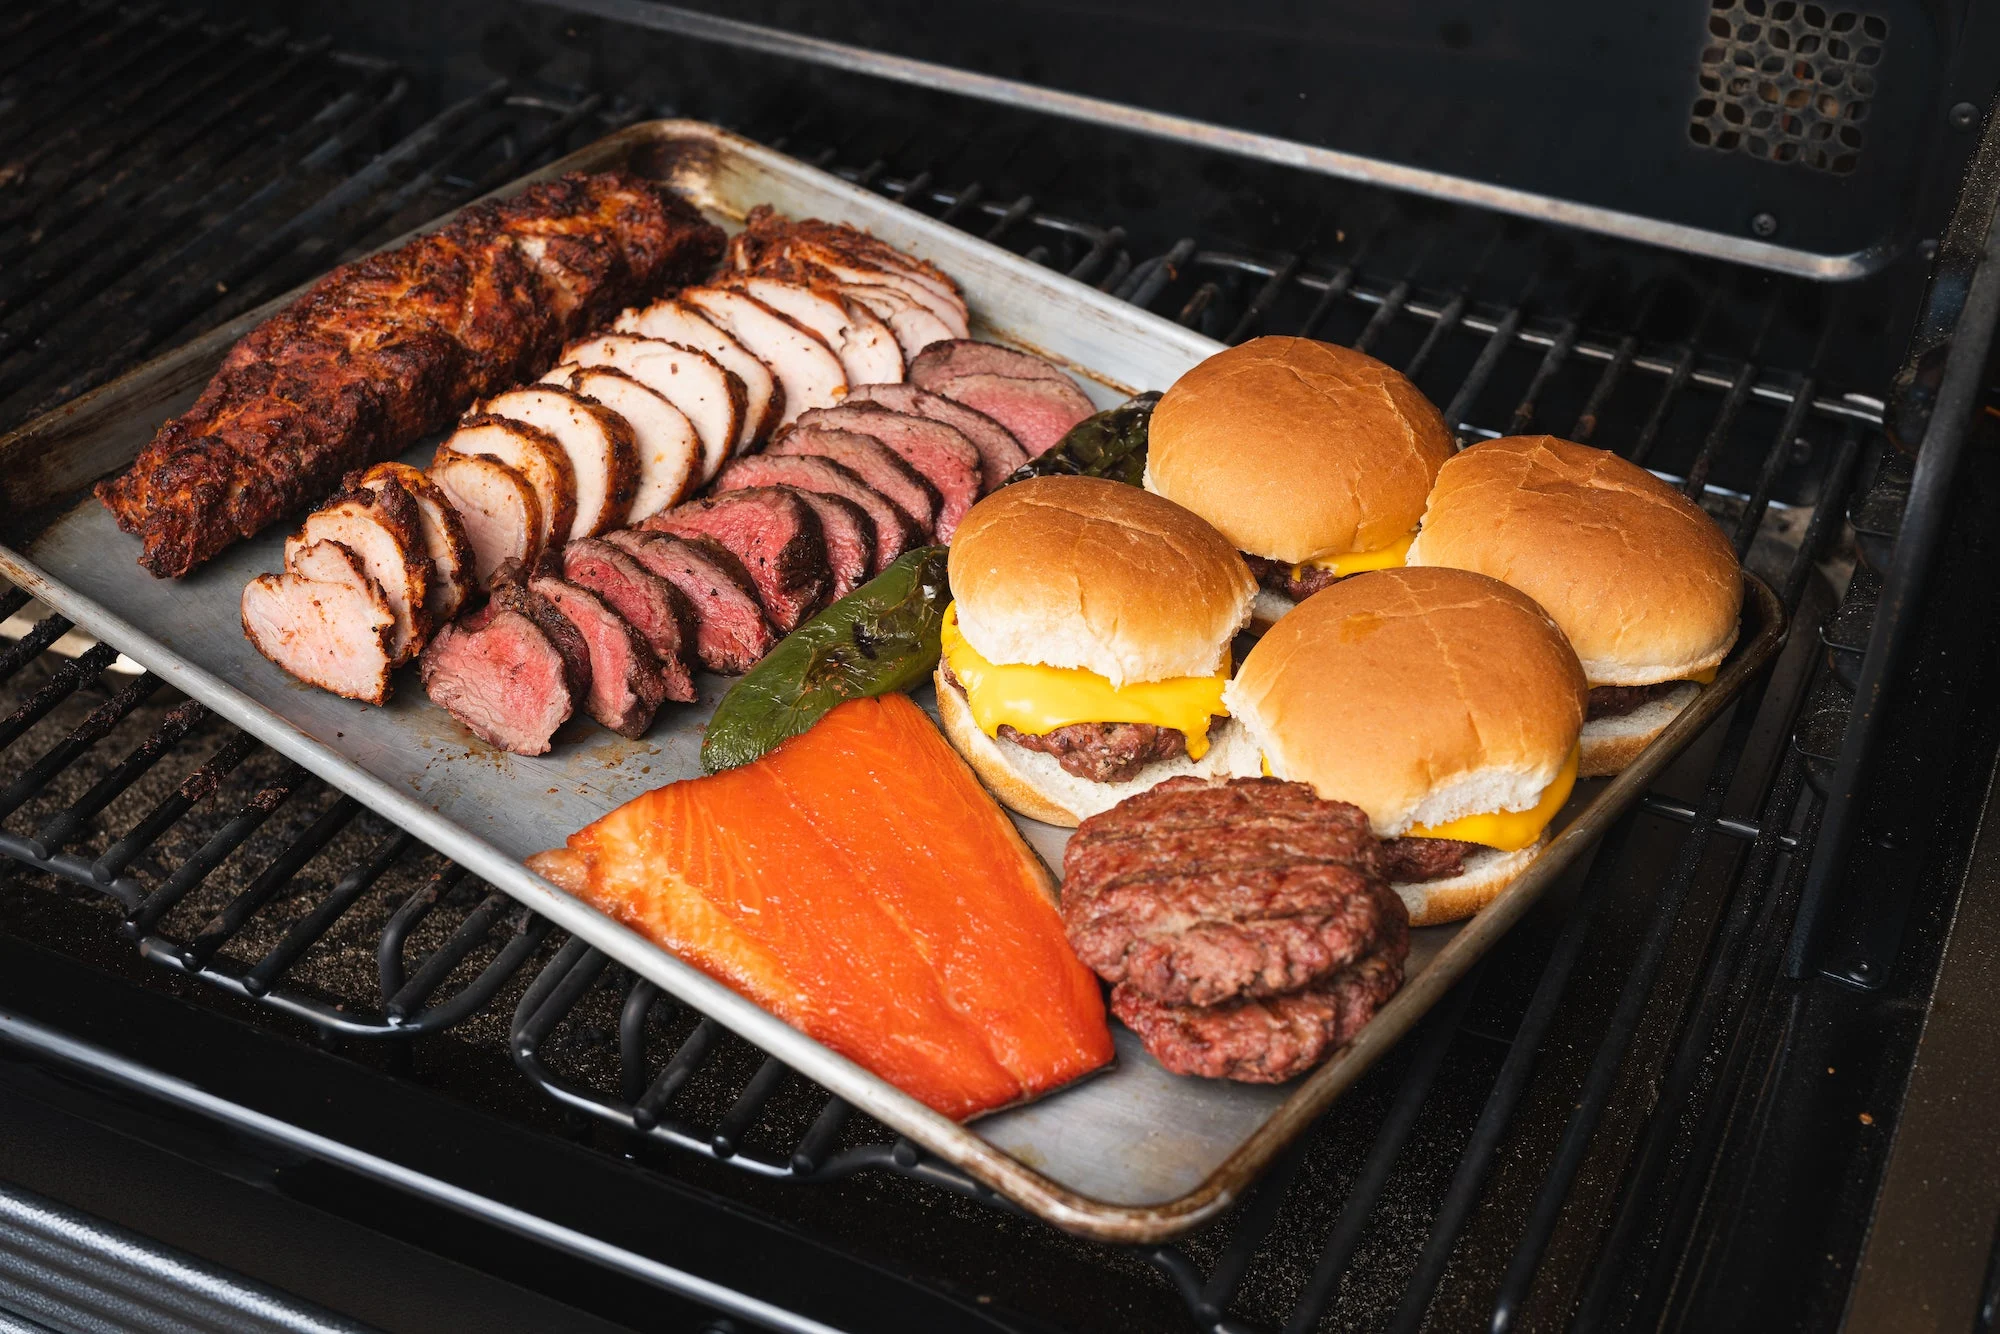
x=1133, y=1155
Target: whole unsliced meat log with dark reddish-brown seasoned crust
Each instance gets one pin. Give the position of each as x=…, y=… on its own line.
x=393, y=347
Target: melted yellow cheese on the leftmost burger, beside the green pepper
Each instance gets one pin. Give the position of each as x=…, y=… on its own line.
x=1041, y=699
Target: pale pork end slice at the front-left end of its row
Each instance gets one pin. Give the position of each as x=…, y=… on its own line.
x=329, y=625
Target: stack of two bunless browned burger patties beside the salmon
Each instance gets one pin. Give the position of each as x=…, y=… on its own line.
x=1247, y=927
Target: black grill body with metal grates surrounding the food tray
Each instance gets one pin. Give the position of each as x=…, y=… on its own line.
x=239, y=997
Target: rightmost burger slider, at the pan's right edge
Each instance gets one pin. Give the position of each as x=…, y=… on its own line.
x=1643, y=583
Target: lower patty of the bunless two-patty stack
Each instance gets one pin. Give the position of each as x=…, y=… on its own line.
x=1261, y=1041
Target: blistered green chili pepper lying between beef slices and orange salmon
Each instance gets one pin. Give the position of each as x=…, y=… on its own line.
x=881, y=637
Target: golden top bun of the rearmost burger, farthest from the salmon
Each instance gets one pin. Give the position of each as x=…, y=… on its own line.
x=1297, y=449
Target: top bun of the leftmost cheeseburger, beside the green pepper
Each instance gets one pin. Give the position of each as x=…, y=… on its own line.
x=1097, y=575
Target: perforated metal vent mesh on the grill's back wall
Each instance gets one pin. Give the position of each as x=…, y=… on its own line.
x=1787, y=81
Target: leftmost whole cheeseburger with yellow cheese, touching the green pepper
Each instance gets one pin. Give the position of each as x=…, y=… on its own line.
x=1087, y=645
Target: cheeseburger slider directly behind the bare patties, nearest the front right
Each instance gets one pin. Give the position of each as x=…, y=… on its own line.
x=1441, y=703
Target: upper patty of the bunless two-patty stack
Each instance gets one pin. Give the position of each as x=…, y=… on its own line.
x=1259, y=921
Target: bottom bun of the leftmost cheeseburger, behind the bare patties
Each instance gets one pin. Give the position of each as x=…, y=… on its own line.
x=1037, y=785
